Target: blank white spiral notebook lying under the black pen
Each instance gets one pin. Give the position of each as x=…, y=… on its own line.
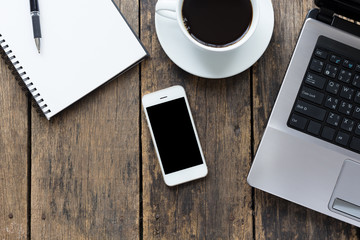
x=85, y=43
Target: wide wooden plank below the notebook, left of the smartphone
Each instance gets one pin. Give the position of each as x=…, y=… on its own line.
x=85, y=162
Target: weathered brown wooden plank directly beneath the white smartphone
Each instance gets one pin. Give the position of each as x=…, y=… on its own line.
x=219, y=206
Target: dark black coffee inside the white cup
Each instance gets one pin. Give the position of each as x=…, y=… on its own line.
x=217, y=23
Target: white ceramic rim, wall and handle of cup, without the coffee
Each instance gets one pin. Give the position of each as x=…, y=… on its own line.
x=172, y=9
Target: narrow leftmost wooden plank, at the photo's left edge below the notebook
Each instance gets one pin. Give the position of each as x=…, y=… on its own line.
x=13, y=157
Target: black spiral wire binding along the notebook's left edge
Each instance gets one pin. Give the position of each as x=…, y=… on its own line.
x=23, y=79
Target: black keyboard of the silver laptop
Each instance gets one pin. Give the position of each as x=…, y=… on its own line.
x=328, y=102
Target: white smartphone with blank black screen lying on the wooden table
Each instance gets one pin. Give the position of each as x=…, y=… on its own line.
x=174, y=135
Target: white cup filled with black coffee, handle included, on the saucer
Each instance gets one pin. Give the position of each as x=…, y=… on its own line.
x=213, y=25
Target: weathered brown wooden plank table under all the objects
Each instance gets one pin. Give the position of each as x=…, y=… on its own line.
x=92, y=173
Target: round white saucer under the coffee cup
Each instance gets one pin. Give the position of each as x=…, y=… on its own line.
x=213, y=64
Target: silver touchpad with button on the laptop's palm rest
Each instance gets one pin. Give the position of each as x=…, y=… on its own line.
x=345, y=199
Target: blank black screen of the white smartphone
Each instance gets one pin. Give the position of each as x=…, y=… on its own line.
x=174, y=135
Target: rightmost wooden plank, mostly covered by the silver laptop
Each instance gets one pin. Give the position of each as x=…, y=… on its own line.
x=276, y=218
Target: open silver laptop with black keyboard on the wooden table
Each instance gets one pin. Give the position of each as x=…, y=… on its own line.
x=310, y=151
